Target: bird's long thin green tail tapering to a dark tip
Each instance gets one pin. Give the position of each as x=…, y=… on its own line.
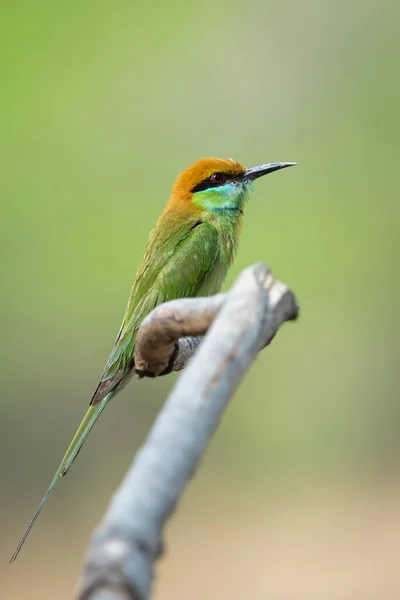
x=90, y=418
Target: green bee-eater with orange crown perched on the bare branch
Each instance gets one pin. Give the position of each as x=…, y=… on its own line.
x=188, y=254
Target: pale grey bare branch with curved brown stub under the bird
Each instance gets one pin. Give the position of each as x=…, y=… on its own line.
x=125, y=546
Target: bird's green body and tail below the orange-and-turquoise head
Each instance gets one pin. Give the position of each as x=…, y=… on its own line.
x=180, y=260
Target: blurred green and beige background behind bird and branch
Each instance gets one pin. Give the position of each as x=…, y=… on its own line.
x=102, y=104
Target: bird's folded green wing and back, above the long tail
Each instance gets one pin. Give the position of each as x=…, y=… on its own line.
x=175, y=265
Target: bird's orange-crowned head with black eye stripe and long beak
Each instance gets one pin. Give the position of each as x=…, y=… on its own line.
x=215, y=184
